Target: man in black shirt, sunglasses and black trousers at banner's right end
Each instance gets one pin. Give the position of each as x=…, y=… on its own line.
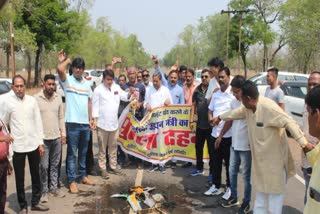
x=203, y=131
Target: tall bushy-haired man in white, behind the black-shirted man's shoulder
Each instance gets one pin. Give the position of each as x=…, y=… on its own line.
x=215, y=65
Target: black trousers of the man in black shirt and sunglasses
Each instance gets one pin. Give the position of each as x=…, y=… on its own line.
x=203, y=135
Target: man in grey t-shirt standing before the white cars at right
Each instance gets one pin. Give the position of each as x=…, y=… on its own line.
x=273, y=91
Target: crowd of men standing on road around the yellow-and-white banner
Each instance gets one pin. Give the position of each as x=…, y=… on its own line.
x=240, y=127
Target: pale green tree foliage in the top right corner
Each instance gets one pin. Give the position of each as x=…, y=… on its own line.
x=301, y=24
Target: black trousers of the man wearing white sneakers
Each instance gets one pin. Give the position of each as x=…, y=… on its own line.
x=220, y=154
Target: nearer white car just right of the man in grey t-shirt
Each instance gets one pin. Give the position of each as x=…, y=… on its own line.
x=294, y=94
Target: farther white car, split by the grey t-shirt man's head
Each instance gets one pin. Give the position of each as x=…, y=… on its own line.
x=260, y=79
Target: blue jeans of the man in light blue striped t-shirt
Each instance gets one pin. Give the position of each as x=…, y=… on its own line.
x=78, y=139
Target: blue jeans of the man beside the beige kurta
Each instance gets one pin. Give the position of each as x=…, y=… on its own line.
x=237, y=158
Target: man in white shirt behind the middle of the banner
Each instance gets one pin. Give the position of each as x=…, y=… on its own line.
x=157, y=96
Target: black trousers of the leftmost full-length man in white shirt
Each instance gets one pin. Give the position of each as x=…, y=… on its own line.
x=19, y=160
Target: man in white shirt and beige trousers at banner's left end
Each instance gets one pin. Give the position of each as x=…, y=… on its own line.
x=105, y=104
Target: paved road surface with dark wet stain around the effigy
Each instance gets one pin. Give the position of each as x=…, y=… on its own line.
x=184, y=193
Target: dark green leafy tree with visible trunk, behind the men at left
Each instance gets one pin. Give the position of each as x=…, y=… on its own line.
x=54, y=27
